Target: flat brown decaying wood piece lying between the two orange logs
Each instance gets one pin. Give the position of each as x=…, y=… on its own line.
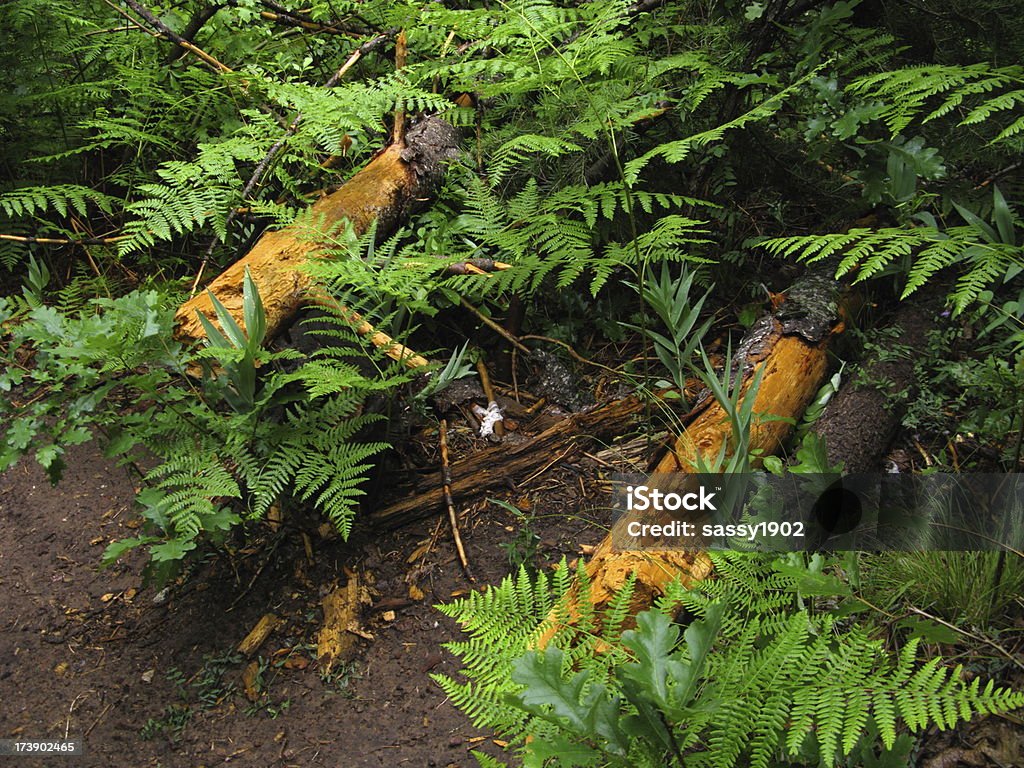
x=508, y=462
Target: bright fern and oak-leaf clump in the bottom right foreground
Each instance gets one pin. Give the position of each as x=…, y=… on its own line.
x=772, y=672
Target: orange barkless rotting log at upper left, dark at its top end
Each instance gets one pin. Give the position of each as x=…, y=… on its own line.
x=396, y=183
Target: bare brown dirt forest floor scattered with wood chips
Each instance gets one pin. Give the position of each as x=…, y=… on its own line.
x=88, y=654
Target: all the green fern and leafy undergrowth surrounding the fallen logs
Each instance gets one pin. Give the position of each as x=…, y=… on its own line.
x=657, y=146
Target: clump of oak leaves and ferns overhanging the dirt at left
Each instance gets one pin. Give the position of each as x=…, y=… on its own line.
x=228, y=450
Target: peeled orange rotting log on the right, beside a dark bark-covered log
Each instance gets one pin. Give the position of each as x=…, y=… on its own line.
x=791, y=347
